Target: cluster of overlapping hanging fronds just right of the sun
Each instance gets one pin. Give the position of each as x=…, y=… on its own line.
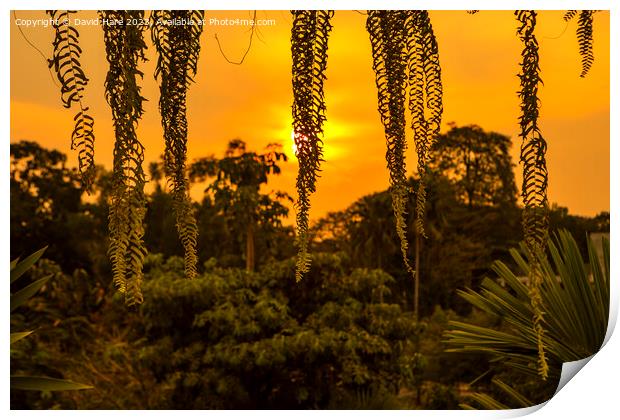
x=405, y=55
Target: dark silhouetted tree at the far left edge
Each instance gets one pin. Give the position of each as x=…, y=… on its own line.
x=46, y=207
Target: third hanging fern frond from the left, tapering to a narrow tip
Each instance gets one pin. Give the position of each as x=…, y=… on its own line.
x=178, y=48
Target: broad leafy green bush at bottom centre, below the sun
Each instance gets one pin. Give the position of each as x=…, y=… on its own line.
x=260, y=340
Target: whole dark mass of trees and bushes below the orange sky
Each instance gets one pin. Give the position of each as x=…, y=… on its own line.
x=244, y=333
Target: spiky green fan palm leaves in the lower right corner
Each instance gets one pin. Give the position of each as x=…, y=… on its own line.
x=575, y=297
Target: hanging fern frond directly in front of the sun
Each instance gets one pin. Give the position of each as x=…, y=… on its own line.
x=309, y=37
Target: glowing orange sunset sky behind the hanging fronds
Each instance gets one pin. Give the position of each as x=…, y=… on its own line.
x=479, y=58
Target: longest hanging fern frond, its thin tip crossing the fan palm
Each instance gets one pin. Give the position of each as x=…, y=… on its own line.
x=533, y=150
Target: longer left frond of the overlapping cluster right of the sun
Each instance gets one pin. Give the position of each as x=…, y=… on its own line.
x=388, y=42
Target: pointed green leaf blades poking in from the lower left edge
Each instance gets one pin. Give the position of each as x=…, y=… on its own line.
x=19, y=298
